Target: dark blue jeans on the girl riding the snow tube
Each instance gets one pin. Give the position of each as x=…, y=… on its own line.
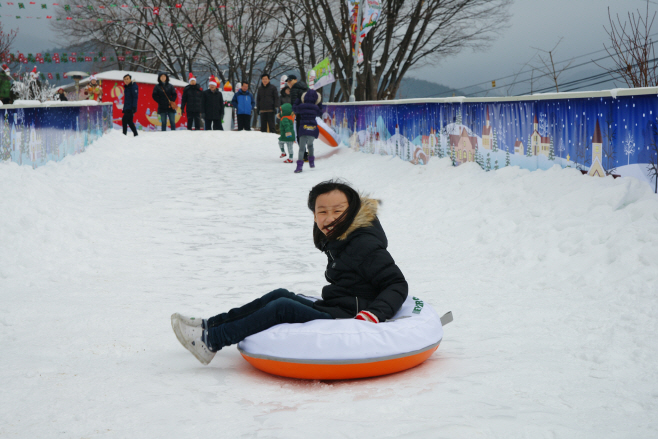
x=278, y=306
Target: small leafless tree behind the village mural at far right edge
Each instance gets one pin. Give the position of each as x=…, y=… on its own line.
x=632, y=50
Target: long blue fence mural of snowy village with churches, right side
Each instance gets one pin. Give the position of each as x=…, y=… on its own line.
x=599, y=136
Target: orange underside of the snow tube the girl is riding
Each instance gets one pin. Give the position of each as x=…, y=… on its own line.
x=315, y=371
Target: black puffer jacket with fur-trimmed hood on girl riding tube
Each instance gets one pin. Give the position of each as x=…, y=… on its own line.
x=361, y=272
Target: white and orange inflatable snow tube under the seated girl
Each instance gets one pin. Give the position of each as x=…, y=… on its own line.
x=347, y=348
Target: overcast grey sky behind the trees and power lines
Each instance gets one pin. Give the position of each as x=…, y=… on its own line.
x=534, y=23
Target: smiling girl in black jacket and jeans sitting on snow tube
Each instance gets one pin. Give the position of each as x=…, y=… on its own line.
x=364, y=281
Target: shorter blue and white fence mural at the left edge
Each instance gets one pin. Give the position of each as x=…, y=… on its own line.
x=34, y=136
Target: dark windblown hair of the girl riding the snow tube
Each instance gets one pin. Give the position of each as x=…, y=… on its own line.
x=343, y=222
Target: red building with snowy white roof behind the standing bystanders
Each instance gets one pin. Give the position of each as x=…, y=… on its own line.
x=146, y=116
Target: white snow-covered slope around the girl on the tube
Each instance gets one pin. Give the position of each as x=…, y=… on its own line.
x=552, y=278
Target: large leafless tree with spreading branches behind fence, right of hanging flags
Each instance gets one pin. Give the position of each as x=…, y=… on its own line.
x=408, y=35
